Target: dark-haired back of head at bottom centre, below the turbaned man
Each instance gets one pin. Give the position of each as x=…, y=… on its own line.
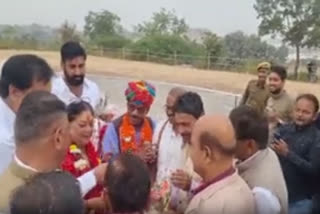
x=128, y=184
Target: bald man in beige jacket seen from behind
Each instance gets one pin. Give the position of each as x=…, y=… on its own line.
x=212, y=151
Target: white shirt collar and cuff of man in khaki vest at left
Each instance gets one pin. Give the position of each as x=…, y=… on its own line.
x=87, y=181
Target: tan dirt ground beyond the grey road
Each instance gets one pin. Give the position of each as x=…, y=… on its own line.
x=219, y=80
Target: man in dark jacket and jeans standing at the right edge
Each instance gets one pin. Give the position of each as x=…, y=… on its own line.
x=298, y=147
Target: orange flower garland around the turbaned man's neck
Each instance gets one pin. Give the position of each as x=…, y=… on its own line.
x=127, y=134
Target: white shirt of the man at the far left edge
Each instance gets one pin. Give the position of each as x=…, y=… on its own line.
x=7, y=145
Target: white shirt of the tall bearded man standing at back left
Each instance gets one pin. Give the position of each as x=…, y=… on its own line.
x=90, y=91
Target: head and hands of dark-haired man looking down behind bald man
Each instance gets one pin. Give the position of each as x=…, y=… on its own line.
x=188, y=109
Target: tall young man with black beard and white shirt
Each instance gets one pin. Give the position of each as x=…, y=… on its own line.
x=73, y=85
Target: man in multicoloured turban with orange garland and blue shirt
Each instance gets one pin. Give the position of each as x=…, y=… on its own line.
x=132, y=132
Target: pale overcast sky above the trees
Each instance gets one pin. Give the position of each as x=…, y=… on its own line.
x=220, y=16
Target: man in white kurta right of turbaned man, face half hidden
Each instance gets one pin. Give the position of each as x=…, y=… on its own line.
x=173, y=153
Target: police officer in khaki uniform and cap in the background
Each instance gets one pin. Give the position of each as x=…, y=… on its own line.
x=256, y=93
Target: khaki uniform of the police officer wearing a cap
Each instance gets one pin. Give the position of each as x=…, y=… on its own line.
x=255, y=96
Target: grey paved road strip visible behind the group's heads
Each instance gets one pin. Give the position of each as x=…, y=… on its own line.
x=214, y=101
